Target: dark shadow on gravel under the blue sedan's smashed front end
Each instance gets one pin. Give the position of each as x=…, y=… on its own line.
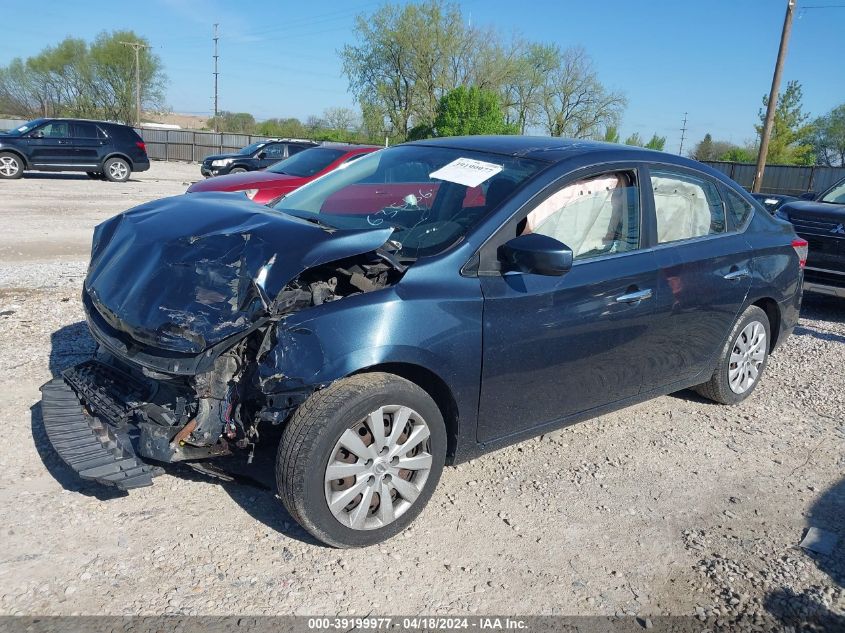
x=251, y=486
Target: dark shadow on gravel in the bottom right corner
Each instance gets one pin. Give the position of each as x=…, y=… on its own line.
x=810, y=610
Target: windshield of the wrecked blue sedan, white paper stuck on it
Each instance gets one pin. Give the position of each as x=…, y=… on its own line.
x=431, y=196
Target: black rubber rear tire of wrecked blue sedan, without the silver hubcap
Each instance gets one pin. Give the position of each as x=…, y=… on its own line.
x=718, y=388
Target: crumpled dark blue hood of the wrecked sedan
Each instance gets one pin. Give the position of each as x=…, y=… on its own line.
x=187, y=272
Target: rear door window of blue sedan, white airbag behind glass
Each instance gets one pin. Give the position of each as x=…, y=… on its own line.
x=686, y=206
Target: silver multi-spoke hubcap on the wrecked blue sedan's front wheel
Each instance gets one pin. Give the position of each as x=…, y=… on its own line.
x=378, y=468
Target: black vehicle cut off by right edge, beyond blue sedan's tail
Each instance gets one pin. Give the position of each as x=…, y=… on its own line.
x=822, y=223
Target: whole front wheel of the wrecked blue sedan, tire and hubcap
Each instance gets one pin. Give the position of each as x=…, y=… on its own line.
x=360, y=459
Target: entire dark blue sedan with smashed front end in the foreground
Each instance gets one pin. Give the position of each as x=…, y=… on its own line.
x=540, y=283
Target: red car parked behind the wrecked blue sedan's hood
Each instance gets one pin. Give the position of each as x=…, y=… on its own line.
x=287, y=175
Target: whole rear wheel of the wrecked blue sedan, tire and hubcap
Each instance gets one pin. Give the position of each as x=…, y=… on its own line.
x=744, y=358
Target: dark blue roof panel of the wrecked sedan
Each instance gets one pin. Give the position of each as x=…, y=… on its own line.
x=552, y=149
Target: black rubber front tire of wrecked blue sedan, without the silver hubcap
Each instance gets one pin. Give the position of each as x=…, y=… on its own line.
x=310, y=441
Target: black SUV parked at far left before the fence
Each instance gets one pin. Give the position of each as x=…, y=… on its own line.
x=102, y=150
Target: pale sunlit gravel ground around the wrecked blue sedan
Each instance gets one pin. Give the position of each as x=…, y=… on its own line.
x=676, y=506
